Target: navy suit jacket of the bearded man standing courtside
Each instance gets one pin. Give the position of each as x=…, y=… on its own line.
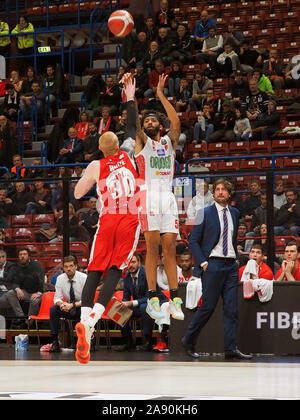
x=206, y=233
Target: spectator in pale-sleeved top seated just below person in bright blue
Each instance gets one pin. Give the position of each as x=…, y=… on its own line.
x=211, y=48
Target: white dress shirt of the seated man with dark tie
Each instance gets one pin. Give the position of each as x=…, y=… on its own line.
x=62, y=287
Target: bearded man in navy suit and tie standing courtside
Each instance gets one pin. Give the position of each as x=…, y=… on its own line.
x=213, y=242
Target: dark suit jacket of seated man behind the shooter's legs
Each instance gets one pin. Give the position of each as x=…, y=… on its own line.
x=142, y=288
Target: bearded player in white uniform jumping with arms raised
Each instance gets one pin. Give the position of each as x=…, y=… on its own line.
x=155, y=157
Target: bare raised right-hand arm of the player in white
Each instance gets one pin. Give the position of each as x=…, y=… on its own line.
x=174, y=131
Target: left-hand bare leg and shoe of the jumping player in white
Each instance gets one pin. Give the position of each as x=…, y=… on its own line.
x=152, y=244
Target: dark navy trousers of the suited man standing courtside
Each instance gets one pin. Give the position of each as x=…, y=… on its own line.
x=219, y=279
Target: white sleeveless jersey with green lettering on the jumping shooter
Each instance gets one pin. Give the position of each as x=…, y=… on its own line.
x=156, y=163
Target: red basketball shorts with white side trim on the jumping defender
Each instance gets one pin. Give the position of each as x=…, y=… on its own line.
x=115, y=242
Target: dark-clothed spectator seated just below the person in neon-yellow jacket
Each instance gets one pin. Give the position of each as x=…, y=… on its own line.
x=256, y=103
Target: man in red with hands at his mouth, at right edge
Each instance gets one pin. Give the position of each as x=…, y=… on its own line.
x=290, y=267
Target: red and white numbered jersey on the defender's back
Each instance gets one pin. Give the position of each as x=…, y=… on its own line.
x=117, y=185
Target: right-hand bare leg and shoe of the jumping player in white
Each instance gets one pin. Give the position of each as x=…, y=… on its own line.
x=168, y=241
